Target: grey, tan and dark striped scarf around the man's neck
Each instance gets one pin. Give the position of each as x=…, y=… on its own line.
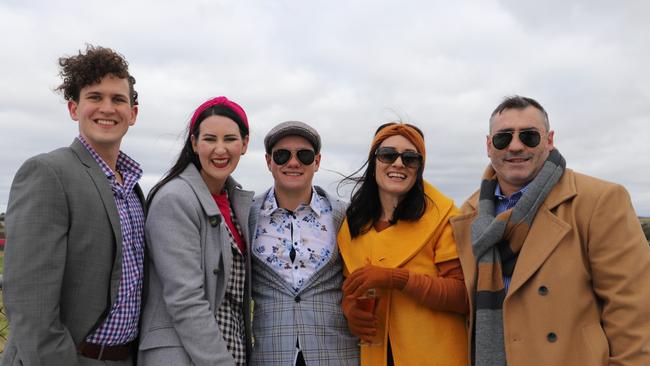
x=496, y=242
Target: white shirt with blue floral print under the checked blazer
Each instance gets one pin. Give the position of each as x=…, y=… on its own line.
x=296, y=244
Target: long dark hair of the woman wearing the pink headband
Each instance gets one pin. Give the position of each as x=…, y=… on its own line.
x=187, y=155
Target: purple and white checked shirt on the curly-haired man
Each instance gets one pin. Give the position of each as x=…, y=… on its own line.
x=121, y=325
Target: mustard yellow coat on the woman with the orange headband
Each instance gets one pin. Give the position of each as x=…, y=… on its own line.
x=418, y=335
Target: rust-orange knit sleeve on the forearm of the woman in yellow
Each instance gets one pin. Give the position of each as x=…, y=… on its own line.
x=446, y=292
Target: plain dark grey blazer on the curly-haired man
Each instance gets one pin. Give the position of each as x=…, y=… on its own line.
x=63, y=256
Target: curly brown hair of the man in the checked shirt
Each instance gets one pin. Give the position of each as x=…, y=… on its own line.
x=87, y=69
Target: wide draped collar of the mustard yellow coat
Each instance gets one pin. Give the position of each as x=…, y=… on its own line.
x=397, y=244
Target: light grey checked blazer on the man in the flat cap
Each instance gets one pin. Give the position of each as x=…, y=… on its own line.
x=312, y=315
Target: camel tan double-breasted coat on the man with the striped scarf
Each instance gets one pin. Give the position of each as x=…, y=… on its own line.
x=580, y=292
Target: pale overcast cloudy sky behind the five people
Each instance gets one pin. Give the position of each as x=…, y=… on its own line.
x=345, y=67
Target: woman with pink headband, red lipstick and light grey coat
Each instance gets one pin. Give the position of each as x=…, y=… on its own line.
x=196, y=309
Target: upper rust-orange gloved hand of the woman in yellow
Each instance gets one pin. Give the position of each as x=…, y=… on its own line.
x=370, y=276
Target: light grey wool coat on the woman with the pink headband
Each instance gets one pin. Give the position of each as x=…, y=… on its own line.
x=190, y=265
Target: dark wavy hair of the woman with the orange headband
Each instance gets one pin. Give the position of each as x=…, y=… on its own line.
x=365, y=208
